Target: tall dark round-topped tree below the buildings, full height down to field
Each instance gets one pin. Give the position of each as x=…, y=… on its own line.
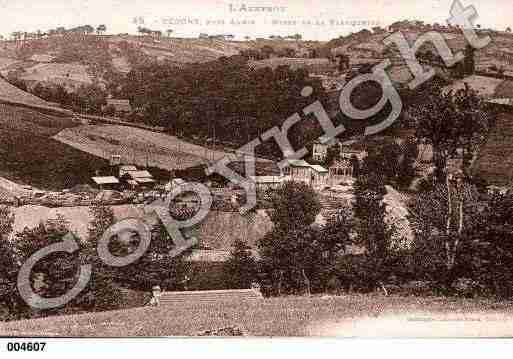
x=292, y=254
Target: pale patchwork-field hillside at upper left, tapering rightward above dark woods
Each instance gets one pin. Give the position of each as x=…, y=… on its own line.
x=77, y=59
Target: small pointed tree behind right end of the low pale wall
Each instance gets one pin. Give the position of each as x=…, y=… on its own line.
x=240, y=270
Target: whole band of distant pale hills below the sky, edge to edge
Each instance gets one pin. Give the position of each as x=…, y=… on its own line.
x=78, y=59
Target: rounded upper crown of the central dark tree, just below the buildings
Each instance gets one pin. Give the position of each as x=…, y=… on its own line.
x=295, y=205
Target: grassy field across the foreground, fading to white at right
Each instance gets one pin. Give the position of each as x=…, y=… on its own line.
x=343, y=316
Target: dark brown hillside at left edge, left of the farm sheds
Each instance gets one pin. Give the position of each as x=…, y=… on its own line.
x=29, y=155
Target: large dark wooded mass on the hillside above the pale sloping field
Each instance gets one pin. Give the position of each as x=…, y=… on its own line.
x=224, y=97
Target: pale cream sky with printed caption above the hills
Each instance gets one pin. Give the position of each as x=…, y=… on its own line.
x=315, y=20
